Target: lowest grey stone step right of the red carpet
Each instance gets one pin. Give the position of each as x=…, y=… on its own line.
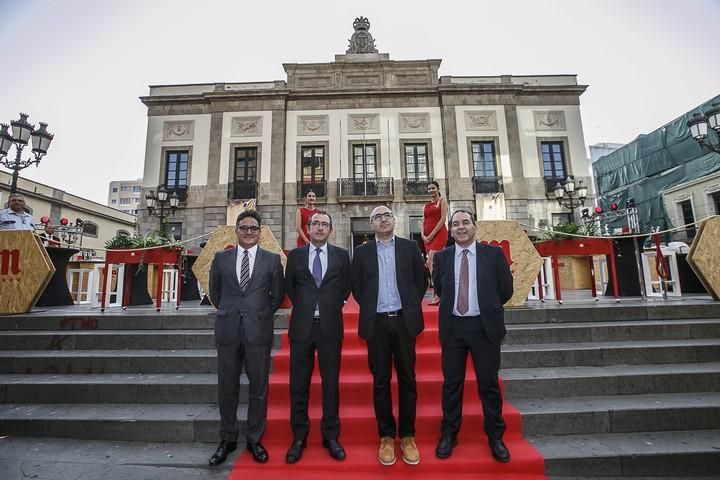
x=674, y=454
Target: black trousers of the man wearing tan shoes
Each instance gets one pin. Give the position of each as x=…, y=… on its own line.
x=391, y=343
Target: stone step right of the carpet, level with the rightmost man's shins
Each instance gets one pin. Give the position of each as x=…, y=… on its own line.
x=620, y=413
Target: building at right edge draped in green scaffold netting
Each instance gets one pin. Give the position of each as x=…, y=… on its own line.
x=667, y=174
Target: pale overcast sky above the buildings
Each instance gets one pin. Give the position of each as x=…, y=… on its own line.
x=80, y=65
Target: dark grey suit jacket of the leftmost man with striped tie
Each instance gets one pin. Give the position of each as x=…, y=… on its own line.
x=255, y=306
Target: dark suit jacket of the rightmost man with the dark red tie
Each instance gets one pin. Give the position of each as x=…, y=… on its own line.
x=494, y=288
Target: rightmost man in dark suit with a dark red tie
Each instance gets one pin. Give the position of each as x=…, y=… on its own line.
x=473, y=282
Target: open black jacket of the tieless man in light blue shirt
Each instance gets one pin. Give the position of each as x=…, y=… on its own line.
x=411, y=282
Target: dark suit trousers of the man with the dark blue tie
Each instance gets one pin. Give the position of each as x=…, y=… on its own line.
x=302, y=363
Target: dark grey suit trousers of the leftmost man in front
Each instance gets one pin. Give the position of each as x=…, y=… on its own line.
x=256, y=359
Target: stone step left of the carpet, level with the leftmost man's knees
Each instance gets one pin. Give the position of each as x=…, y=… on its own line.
x=113, y=388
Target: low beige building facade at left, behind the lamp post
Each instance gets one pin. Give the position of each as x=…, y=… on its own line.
x=101, y=222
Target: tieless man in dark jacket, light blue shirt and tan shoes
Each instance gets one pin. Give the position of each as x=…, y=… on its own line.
x=389, y=284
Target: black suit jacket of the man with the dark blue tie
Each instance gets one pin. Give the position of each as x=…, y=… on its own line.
x=305, y=294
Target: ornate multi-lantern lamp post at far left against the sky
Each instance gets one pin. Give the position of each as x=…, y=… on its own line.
x=22, y=130
